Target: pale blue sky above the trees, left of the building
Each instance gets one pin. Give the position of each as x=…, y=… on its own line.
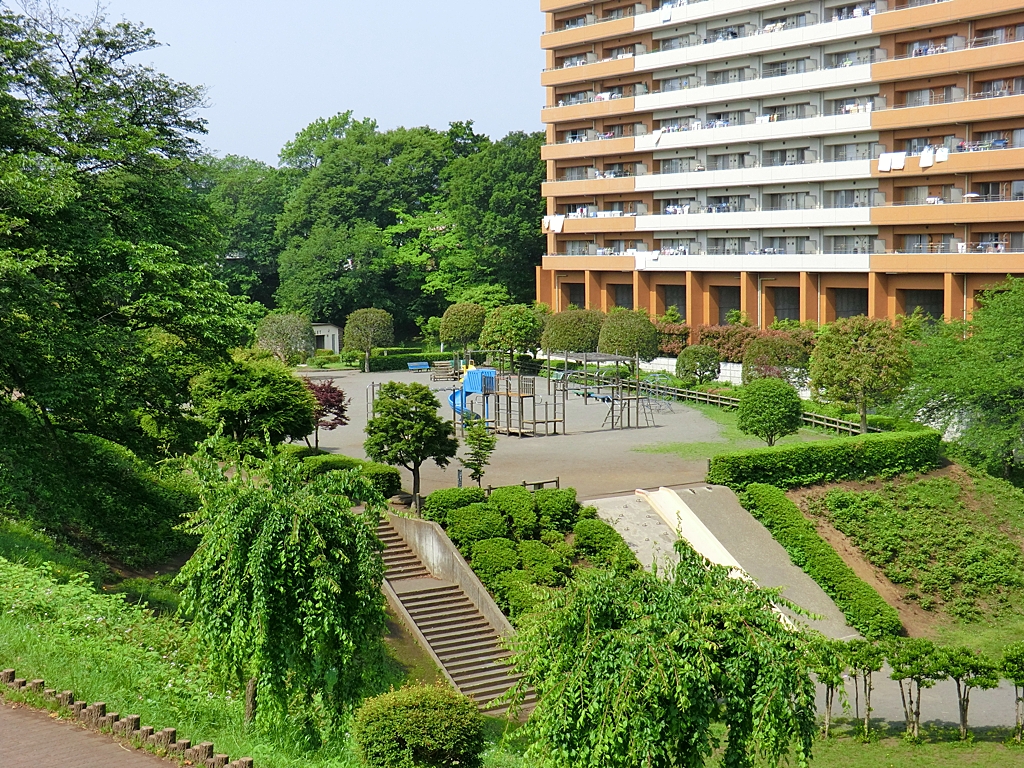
x=272, y=68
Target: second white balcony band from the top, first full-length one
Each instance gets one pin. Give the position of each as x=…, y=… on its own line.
x=753, y=46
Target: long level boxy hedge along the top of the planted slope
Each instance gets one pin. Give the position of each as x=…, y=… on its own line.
x=842, y=459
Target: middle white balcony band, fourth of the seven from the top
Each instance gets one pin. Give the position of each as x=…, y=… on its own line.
x=757, y=133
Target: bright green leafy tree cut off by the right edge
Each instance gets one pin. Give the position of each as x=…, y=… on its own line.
x=967, y=376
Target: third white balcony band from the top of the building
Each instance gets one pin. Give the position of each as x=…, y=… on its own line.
x=819, y=80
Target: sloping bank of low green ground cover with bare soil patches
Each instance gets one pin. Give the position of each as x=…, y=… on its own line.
x=952, y=542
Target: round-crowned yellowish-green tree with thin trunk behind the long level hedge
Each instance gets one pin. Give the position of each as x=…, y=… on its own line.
x=860, y=362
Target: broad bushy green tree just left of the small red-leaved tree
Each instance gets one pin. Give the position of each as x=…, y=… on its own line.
x=254, y=399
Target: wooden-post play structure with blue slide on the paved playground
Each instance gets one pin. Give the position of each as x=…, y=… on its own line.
x=508, y=405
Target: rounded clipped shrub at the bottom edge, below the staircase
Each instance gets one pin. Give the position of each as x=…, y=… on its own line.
x=422, y=727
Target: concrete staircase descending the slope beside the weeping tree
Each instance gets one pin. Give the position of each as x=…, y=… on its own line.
x=462, y=642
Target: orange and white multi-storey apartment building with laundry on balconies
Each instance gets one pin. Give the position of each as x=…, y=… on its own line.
x=791, y=160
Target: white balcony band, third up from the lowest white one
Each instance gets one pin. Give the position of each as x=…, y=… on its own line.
x=782, y=175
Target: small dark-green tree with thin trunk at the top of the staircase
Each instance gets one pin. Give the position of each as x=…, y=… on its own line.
x=406, y=431
